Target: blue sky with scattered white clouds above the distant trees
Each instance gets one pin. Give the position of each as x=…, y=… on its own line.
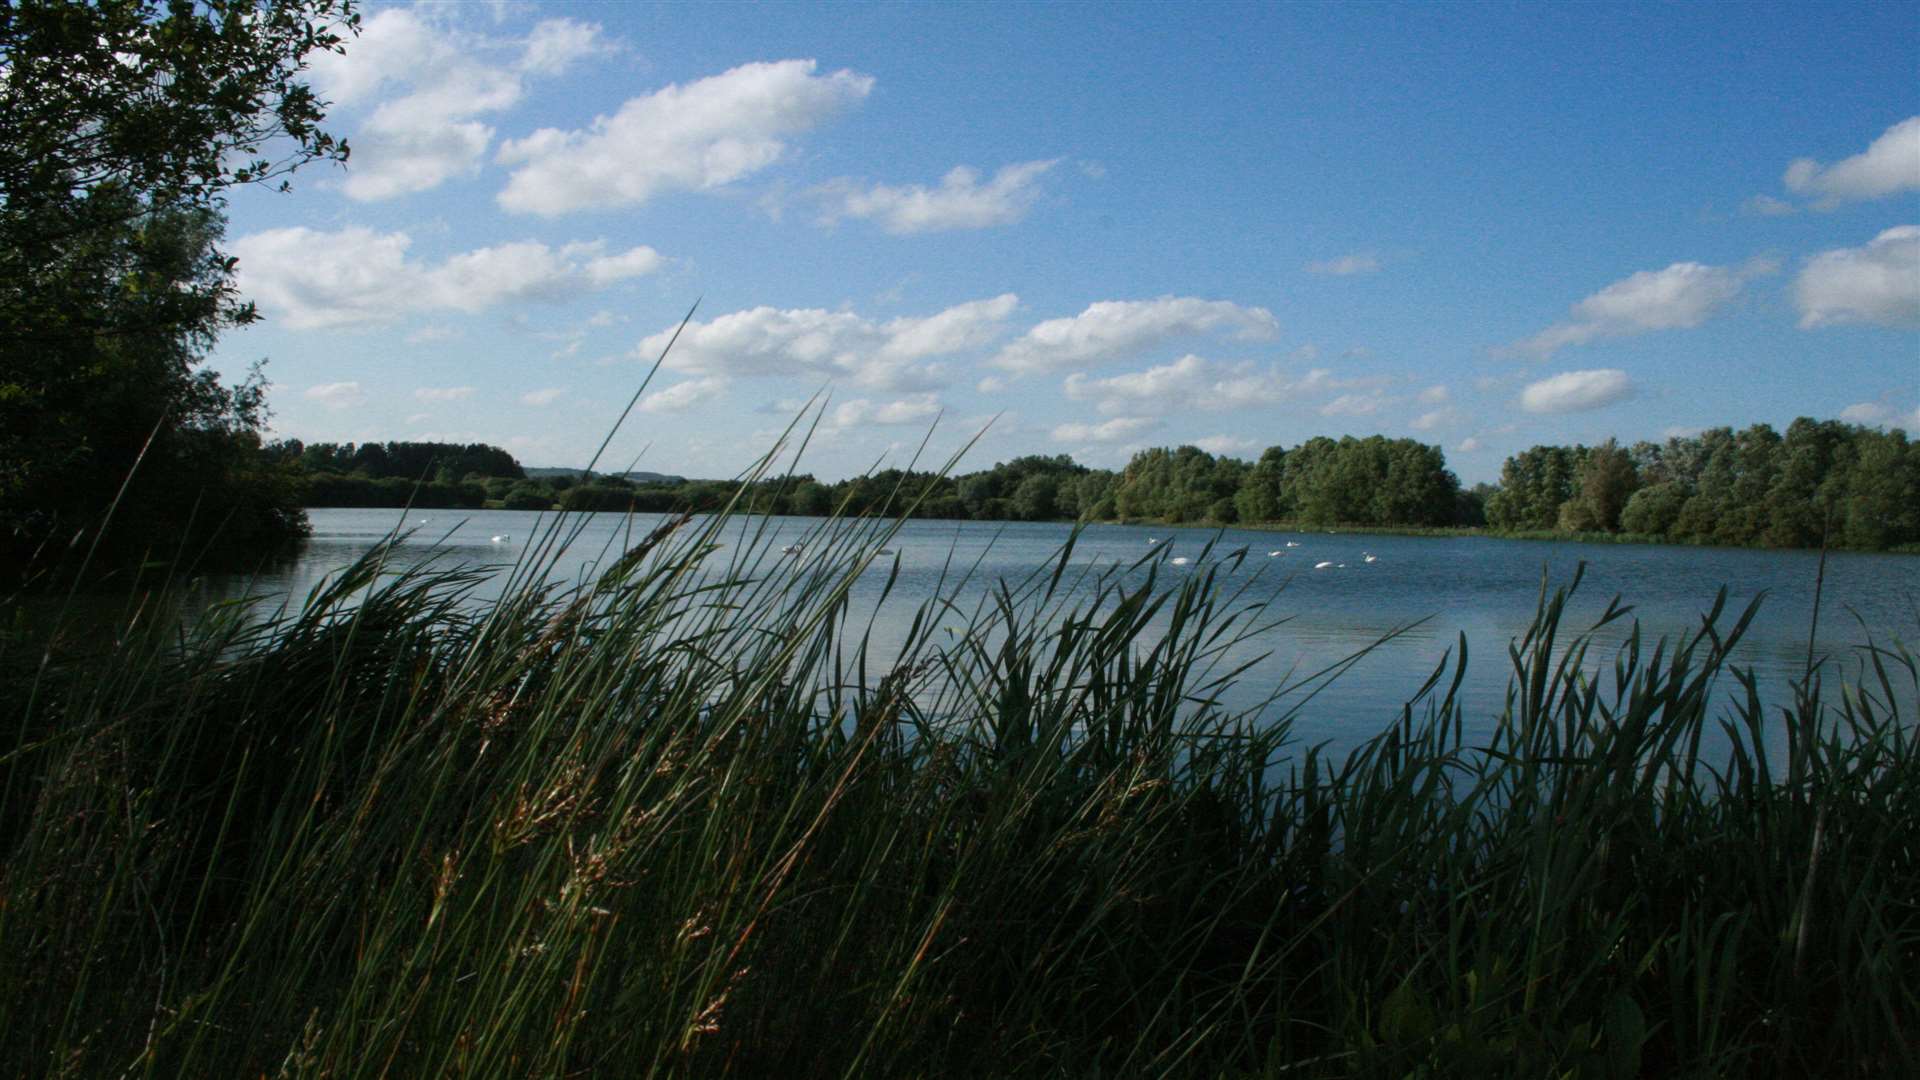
x=1093, y=230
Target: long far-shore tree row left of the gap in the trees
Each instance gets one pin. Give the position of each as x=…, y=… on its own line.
x=1349, y=481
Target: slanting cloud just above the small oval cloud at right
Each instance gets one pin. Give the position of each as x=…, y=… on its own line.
x=1675, y=299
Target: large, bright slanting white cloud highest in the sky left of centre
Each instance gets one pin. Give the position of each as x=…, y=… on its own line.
x=692, y=137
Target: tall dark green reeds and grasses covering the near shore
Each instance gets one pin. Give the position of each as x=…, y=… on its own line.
x=692, y=822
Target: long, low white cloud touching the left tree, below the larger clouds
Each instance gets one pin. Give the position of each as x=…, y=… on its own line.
x=316, y=280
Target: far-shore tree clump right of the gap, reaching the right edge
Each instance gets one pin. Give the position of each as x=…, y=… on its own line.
x=1852, y=485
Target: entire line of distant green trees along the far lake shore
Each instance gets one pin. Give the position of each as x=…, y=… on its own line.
x=1858, y=487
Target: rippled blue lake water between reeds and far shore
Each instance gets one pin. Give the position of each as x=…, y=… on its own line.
x=1443, y=587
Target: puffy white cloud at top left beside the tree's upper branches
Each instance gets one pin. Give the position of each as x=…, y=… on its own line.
x=446, y=78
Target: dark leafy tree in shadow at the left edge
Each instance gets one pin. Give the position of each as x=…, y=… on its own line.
x=122, y=128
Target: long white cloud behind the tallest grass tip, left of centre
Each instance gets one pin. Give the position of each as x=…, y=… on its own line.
x=830, y=345
